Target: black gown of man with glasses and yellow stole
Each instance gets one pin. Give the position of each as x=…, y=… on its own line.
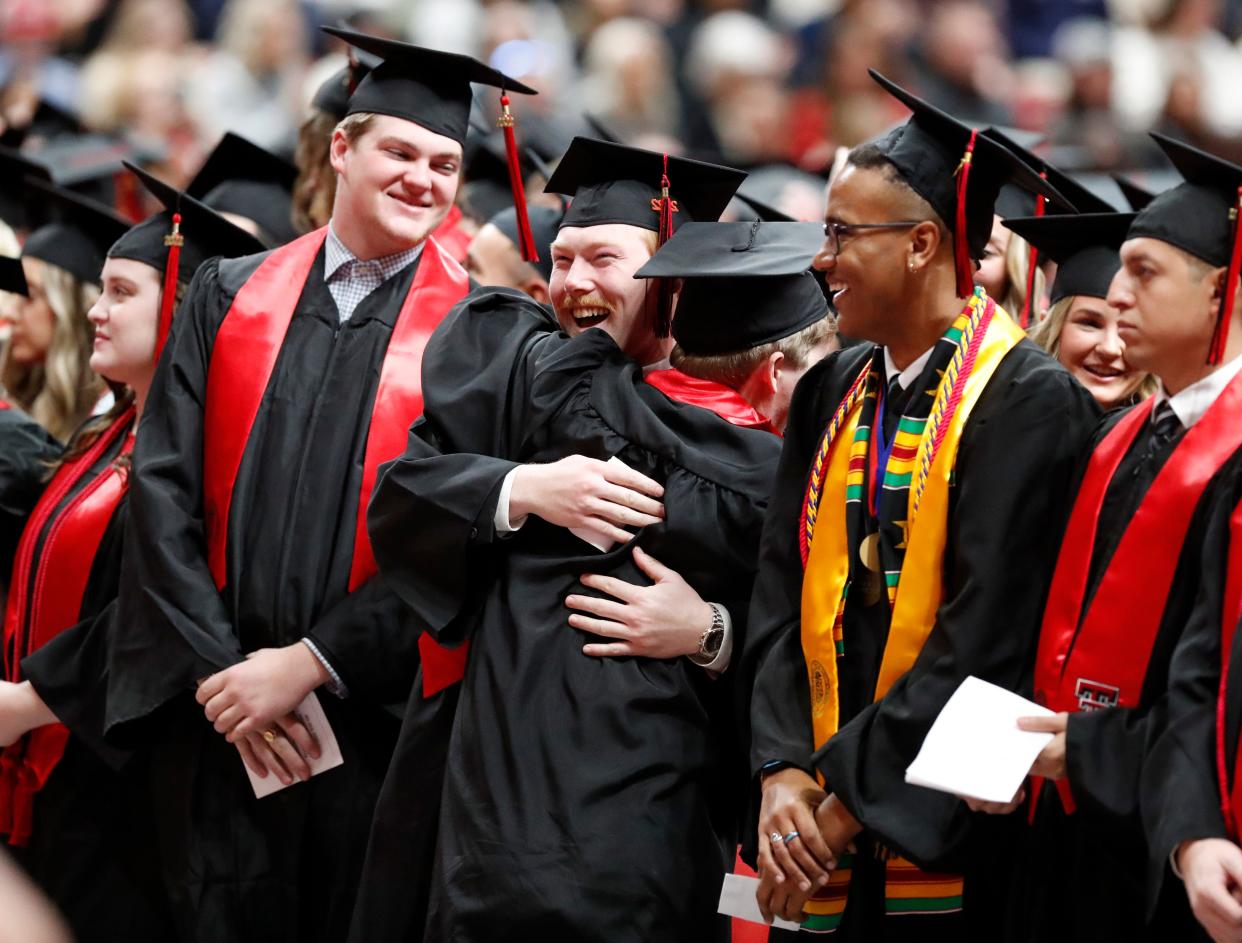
x=1015, y=462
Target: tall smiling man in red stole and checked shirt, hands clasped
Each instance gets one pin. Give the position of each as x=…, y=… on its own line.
x=248, y=573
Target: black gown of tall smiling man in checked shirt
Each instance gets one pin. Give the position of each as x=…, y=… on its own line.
x=284, y=868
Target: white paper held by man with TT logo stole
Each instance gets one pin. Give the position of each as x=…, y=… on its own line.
x=976, y=749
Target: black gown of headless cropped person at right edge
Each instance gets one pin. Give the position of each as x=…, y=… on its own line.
x=1181, y=797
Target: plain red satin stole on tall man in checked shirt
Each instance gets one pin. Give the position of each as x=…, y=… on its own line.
x=243, y=361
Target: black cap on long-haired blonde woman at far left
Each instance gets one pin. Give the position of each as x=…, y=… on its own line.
x=75, y=233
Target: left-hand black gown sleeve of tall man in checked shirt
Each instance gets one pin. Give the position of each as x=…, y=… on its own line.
x=173, y=627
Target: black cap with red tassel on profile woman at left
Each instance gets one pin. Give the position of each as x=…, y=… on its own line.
x=179, y=239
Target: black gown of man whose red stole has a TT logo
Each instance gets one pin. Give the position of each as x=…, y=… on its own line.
x=1082, y=877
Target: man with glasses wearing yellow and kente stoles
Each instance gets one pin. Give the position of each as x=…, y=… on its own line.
x=909, y=544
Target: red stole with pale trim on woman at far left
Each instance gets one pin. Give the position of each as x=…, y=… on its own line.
x=50, y=578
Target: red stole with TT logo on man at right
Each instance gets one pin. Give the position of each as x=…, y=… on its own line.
x=1099, y=659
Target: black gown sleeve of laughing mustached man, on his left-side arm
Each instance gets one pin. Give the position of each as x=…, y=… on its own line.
x=432, y=519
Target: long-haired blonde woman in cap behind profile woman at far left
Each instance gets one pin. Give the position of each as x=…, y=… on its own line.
x=45, y=366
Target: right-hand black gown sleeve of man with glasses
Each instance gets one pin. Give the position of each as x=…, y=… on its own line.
x=1015, y=465
